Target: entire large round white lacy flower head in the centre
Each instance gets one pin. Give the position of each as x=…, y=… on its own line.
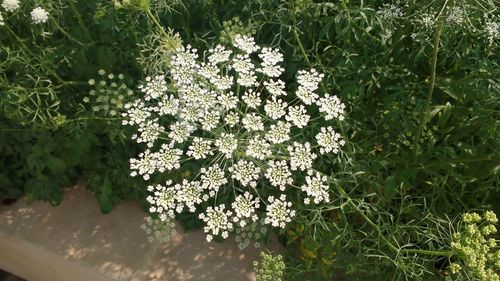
x=243, y=135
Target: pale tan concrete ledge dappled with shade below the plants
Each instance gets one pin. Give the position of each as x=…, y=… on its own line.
x=75, y=242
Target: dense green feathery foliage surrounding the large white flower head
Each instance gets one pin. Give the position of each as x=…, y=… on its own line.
x=419, y=80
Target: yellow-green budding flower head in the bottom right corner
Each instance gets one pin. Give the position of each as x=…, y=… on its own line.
x=477, y=250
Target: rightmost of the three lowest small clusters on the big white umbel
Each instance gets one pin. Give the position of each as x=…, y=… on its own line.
x=279, y=211
